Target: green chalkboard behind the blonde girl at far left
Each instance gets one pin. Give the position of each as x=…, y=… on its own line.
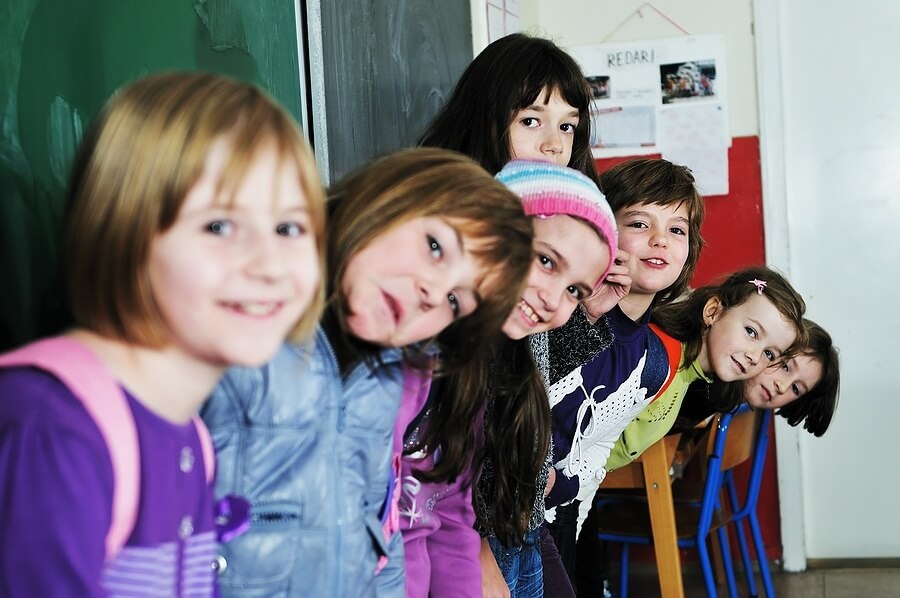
x=59, y=61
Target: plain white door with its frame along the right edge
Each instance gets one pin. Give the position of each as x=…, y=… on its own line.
x=835, y=136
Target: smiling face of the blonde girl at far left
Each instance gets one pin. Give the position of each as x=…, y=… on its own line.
x=234, y=273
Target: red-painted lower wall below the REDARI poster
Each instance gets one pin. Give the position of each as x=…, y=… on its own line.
x=733, y=230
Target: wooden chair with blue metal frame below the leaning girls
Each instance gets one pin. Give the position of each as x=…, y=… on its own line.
x=731, y=439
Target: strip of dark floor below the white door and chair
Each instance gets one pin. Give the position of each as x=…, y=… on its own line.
x=841, y=582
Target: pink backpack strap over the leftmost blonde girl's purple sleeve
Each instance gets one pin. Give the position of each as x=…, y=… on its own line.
x=86, y=376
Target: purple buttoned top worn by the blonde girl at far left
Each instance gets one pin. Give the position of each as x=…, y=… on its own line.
x=56, y=483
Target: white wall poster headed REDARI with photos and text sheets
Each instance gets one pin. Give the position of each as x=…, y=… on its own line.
x=661, y=96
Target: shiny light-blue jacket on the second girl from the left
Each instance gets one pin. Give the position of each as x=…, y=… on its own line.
x=312, y=452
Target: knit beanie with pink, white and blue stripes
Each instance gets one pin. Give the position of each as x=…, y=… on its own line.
x=548, y=189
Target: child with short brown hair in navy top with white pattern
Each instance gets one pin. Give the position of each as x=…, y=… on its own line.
x=605, y=365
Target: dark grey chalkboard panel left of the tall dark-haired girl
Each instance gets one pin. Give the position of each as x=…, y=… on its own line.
x=387, y=67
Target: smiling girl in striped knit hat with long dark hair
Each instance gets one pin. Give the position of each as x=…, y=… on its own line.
x=495, y=406
